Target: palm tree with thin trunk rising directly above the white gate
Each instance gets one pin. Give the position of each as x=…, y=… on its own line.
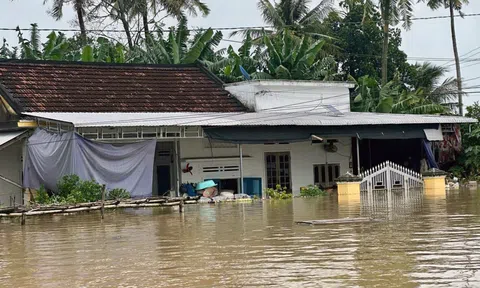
x=392, y=12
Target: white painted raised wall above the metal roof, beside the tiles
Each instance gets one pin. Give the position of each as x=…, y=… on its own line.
x=292, y=95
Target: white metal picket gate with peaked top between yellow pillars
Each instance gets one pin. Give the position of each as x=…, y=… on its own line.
x=390, y=176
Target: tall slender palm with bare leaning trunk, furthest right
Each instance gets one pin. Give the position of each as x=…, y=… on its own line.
x=452, y=6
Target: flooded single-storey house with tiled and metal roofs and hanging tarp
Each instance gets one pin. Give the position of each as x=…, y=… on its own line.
x=245, y=136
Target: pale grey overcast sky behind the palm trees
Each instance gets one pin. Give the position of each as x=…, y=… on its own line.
x=427, y=38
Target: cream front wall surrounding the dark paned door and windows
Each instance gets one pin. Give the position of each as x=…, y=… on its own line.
x=303, y=156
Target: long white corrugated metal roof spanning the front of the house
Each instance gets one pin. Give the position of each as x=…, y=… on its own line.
x=244, y=119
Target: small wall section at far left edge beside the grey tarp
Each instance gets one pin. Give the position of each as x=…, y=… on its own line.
x=11, y=168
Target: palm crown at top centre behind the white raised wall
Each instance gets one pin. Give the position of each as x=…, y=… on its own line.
x=293, y=15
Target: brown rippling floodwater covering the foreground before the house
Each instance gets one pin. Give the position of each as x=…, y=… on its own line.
x=419, y=242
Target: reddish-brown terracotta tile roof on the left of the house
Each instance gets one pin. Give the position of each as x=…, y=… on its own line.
x=97, y=87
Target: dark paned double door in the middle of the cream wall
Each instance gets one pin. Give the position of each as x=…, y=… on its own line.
x=278, y=169
